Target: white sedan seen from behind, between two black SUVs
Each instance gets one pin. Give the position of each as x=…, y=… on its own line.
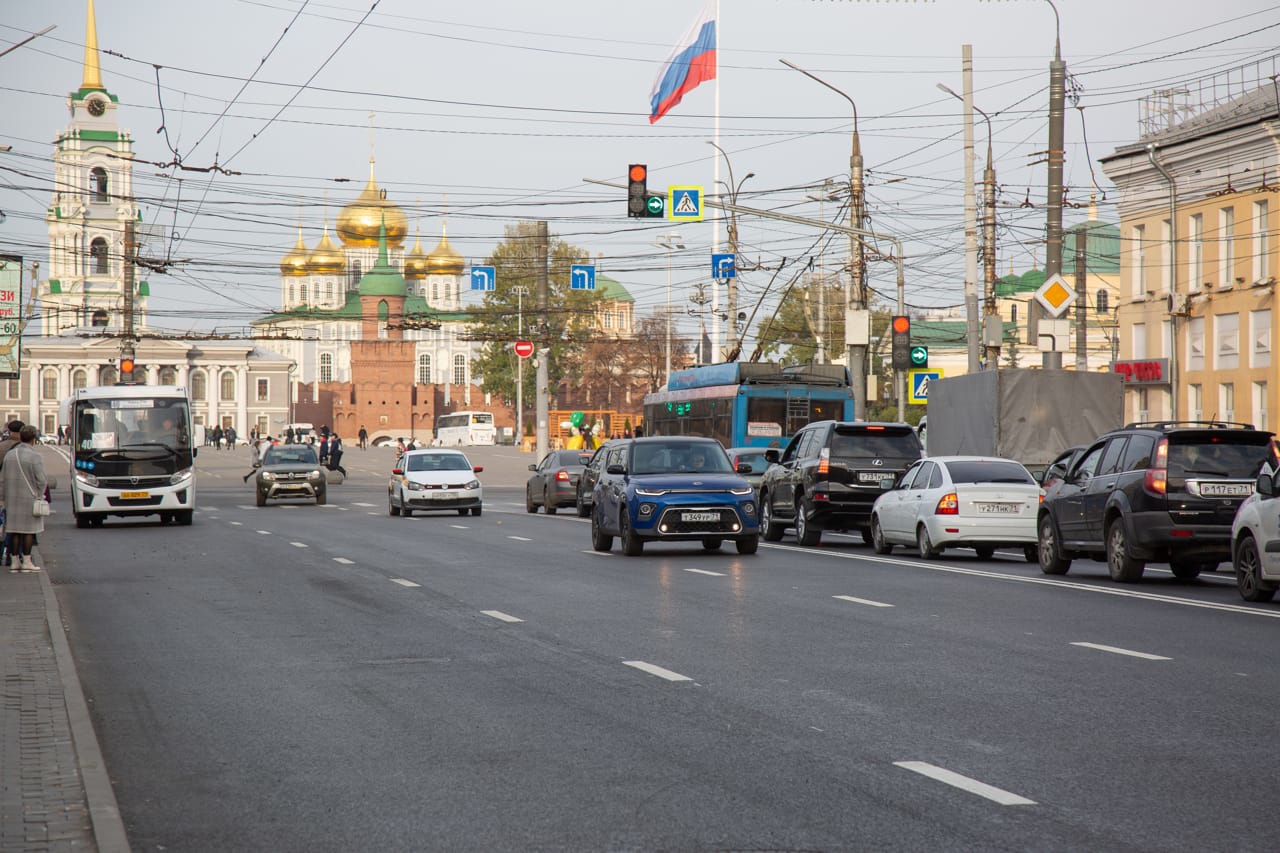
x=977, y=503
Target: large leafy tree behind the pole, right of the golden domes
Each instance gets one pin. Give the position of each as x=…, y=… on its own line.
x=565, y=330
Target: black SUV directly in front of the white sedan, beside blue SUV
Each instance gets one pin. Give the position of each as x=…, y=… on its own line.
x=830, y=476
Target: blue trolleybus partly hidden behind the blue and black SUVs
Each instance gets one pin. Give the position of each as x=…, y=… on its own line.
x=748, y=405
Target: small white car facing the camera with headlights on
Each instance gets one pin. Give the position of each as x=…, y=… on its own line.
x=435, y=480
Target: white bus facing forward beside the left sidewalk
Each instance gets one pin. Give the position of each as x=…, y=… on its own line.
x=132, y=453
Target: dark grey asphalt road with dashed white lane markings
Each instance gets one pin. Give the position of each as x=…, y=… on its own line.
x=336, y=679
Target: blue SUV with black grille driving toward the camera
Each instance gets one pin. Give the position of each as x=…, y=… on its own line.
x=673, y=490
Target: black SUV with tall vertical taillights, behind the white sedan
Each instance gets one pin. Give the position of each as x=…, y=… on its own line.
x=1162, y=492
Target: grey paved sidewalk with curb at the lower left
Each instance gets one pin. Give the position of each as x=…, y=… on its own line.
x=54, y=788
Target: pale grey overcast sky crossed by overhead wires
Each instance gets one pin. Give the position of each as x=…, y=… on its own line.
x=490, y=112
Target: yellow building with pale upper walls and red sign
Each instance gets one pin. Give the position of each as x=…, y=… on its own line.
x=1199, y=262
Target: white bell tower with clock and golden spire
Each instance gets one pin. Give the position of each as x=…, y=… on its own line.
x=92, y=211
